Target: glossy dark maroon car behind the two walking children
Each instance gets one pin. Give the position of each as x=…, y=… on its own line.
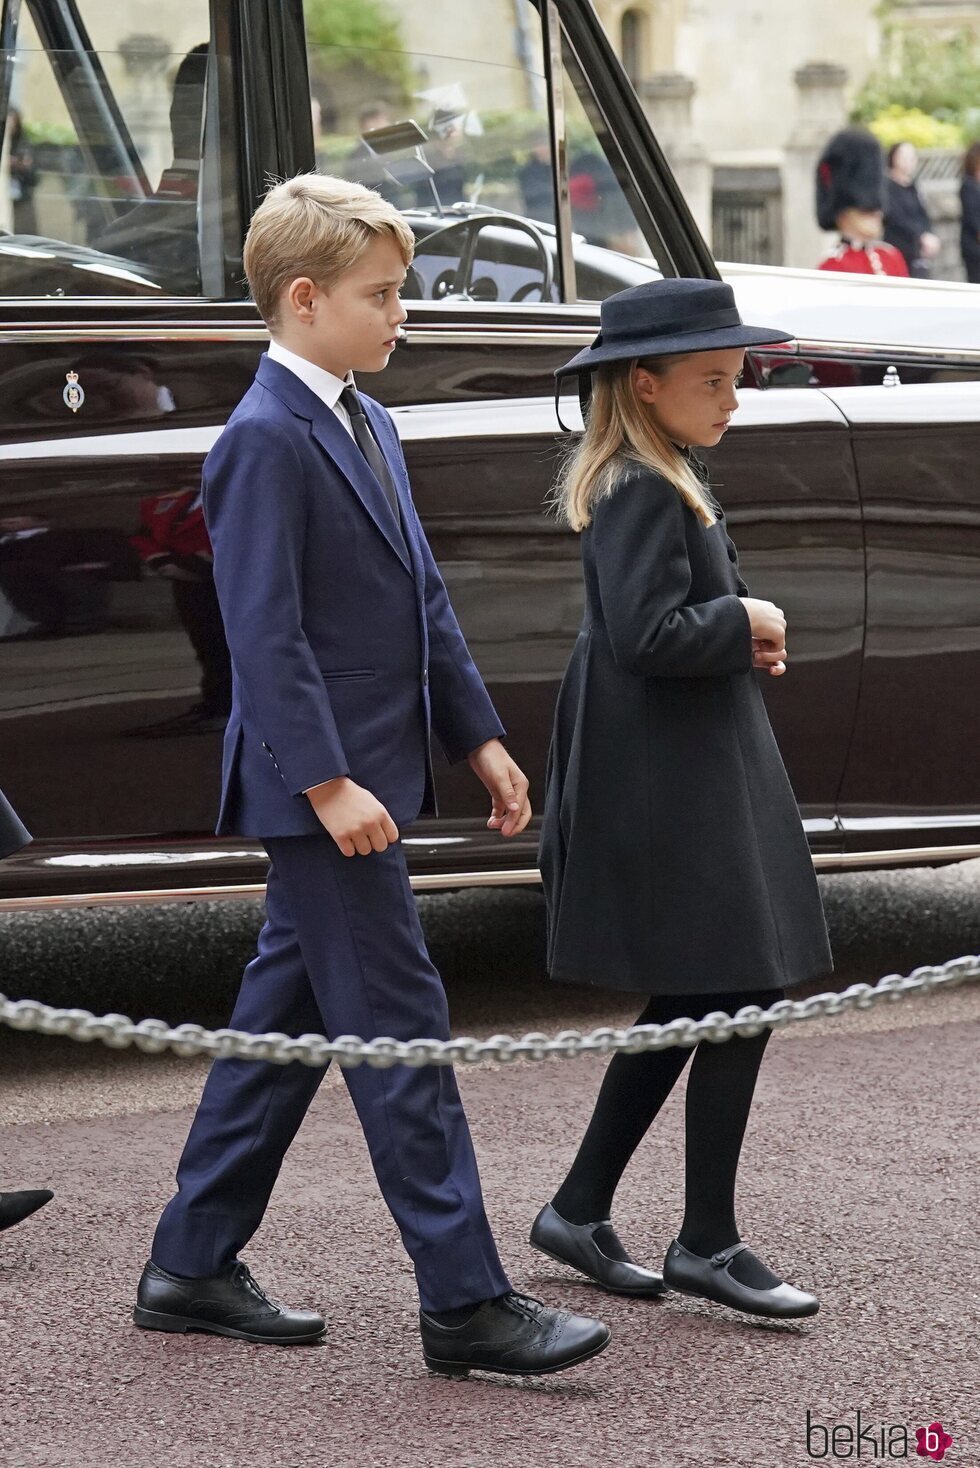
x=535, y=187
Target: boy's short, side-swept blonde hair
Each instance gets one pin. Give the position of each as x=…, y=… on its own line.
x=316, y=227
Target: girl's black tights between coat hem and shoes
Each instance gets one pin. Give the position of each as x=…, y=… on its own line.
x=720, y=1097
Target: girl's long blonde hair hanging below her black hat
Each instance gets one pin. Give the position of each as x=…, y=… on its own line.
x=621, y=432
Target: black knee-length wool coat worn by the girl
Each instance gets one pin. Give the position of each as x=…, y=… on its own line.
x=673, y=854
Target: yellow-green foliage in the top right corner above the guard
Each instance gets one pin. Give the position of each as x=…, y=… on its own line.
x=935, y=73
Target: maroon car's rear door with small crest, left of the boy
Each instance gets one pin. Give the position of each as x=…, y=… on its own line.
x=124, y=346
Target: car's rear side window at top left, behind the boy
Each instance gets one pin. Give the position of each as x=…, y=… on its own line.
x=109, y=153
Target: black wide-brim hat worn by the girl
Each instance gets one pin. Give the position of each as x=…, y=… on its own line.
x=668, y=318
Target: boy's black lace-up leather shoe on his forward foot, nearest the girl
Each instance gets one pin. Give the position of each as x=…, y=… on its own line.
x=513, y=1335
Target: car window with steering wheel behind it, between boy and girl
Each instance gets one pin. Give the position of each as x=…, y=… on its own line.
x=453, y=126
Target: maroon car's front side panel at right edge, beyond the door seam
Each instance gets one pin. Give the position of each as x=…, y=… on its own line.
x=913, y=780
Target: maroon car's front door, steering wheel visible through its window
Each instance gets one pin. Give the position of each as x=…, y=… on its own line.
x=554, y=133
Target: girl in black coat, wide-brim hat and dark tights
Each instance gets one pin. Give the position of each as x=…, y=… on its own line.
x=673, y=852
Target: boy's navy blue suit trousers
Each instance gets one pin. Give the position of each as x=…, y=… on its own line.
x=341, y=953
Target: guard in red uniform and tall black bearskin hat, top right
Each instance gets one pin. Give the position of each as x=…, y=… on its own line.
x=850, y=199
